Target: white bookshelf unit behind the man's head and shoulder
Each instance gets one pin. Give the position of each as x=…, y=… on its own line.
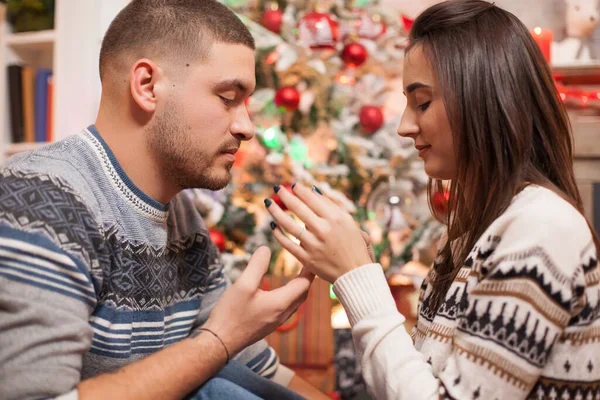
x=71, y=50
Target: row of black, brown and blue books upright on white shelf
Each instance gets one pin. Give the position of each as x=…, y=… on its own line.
x=30, y=103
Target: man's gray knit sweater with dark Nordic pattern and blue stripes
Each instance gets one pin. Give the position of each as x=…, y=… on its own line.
x=94, y=274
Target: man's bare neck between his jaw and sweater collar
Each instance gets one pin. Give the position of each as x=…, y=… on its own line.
x=128, y=141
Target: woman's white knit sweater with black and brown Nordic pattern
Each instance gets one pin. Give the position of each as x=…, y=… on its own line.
x=521, y=319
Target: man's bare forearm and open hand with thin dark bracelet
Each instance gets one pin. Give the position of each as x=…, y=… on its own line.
x=242, y=316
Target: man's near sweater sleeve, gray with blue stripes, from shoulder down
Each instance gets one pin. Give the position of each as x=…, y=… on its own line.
x=47, y=290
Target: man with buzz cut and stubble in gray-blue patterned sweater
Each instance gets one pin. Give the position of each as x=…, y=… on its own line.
x=105, y=265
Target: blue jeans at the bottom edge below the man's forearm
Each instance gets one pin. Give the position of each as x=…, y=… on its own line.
x=236, y=381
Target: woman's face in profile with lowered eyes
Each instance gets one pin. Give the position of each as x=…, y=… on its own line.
x=425, y=119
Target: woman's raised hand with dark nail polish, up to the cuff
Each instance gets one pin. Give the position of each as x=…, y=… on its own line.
x=331, y=244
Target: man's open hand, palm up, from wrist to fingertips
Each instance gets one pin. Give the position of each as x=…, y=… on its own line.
x=246, y=314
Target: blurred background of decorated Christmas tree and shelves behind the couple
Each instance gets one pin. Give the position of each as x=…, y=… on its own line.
x=326, y=110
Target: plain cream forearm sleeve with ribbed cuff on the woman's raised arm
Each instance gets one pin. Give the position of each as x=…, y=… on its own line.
x=391, y=366
